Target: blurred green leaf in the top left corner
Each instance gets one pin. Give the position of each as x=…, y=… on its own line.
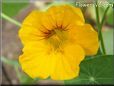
x=11, y=9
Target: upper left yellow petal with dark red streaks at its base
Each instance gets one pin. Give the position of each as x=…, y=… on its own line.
x=34, y=26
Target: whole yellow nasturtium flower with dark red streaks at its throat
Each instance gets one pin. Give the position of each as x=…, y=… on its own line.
x=55, y=42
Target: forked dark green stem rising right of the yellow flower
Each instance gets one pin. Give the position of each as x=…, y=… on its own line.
x=100, y=28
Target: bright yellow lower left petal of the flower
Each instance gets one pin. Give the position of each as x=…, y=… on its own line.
x=41, y=63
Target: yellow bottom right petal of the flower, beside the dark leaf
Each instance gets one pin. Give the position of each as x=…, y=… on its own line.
x=67, y=66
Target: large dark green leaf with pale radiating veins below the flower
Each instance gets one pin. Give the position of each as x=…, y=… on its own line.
x=95, y=70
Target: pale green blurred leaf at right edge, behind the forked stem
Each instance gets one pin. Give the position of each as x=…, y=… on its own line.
x=108, y=41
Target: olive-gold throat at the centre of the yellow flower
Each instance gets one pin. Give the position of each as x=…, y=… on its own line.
x=57, y=37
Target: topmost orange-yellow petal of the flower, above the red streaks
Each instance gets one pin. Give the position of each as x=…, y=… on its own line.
x=65, y=15
